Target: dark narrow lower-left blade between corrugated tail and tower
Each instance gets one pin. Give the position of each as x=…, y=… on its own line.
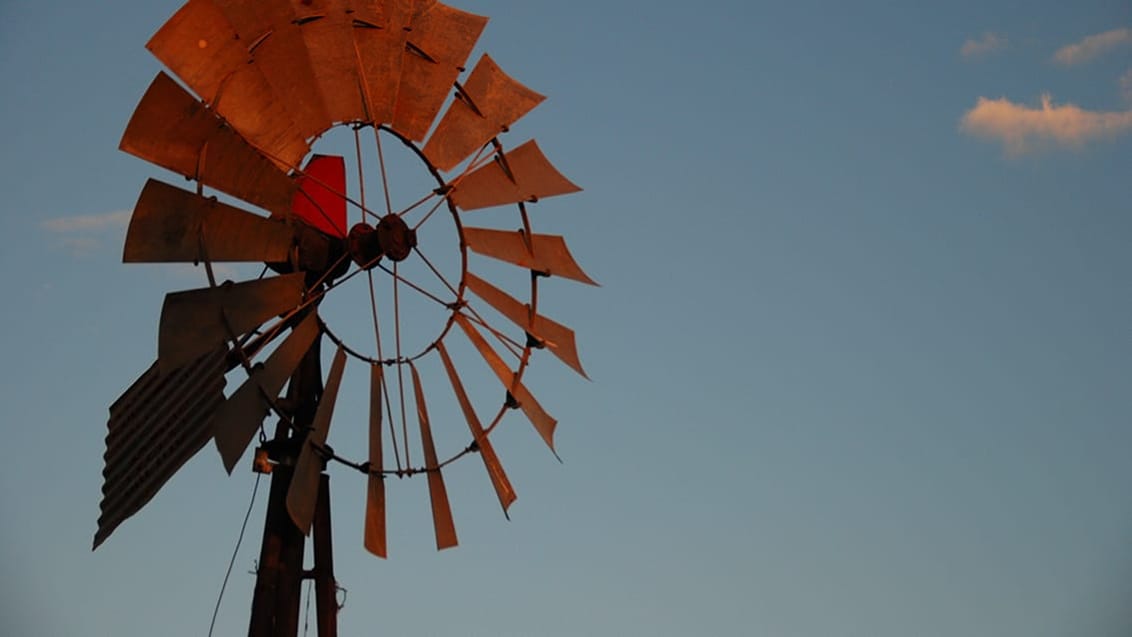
x=238, y=419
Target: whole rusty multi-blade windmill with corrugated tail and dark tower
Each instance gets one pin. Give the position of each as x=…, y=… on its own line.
x=261, y=82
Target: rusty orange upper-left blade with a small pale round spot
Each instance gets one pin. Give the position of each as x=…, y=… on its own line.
x=204, y=51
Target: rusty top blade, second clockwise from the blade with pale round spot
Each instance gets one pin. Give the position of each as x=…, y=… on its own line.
x=329, y=32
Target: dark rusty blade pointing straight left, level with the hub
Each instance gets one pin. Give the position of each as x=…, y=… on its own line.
x=175, y=226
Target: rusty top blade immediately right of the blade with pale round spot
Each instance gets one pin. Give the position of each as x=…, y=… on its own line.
x=277, y=48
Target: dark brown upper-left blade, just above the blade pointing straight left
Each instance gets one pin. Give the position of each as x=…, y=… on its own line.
x=175, y=131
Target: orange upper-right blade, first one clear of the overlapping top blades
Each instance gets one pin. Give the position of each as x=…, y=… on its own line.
x=492, y=101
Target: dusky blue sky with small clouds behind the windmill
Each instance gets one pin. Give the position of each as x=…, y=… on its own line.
x=860, y=358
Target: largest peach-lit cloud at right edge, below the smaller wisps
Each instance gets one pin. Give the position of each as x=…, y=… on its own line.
x=1023, y=130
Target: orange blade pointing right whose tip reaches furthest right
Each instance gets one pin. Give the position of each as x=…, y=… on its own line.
x=547, y=254
